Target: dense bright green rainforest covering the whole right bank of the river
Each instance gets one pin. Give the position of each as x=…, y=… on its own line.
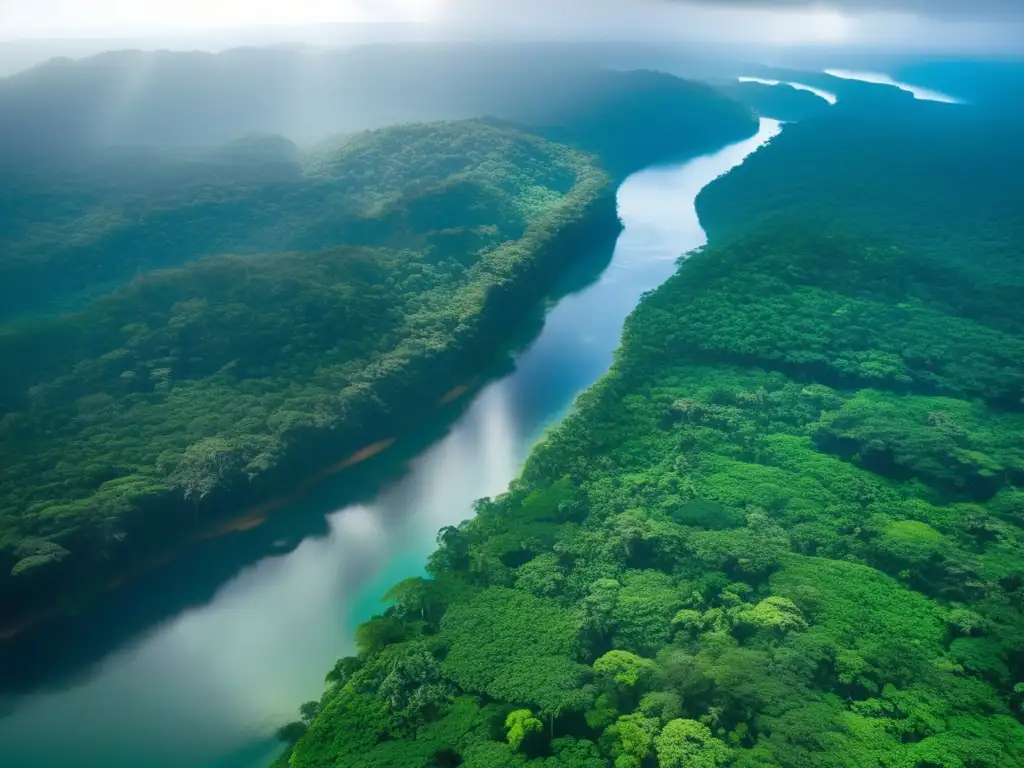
x=785, y=531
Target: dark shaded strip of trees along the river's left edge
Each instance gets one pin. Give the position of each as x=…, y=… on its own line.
x=507, y=281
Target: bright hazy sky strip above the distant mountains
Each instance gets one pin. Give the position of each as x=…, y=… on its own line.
x=955, y=24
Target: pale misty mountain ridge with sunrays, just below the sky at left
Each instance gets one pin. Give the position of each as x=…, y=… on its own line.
x=186, y=99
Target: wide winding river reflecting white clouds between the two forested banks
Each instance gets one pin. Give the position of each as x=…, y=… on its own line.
x=207, y=688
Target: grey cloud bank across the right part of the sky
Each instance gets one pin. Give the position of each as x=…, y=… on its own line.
x=948, y=26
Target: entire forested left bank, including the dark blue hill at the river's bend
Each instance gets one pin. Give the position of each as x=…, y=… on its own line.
x=186, y=327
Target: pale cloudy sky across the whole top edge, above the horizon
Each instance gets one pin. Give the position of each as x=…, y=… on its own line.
x=229, y=23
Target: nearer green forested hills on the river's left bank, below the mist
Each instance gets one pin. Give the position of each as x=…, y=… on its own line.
x=129, y=419
